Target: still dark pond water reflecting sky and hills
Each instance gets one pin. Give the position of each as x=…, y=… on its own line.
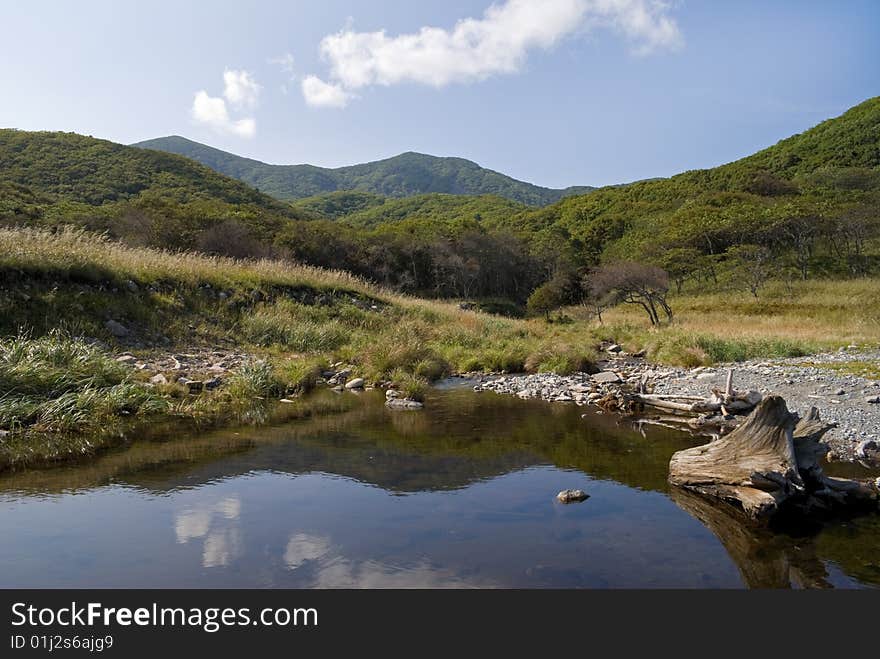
x=459, y=495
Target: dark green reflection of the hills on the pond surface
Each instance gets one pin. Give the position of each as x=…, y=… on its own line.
x=460, y=439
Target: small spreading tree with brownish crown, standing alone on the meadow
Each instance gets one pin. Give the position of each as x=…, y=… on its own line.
x=634, y=283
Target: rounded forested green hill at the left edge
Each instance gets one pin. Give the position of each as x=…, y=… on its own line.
x=148, y=196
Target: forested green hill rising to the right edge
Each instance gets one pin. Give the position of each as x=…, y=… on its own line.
x=816, y=193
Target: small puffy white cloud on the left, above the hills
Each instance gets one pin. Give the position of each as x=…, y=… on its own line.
x=240, y=91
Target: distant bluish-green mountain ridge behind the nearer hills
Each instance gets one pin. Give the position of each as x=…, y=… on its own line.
x=401, y=176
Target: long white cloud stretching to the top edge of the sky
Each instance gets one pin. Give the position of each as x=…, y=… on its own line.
x=475, y=49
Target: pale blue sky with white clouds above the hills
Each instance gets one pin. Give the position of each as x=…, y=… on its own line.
x=555, y=92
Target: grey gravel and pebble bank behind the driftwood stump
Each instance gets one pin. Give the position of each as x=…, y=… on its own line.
x=844, y=386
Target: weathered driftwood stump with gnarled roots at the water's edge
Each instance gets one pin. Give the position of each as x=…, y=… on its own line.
x=770, y=460
